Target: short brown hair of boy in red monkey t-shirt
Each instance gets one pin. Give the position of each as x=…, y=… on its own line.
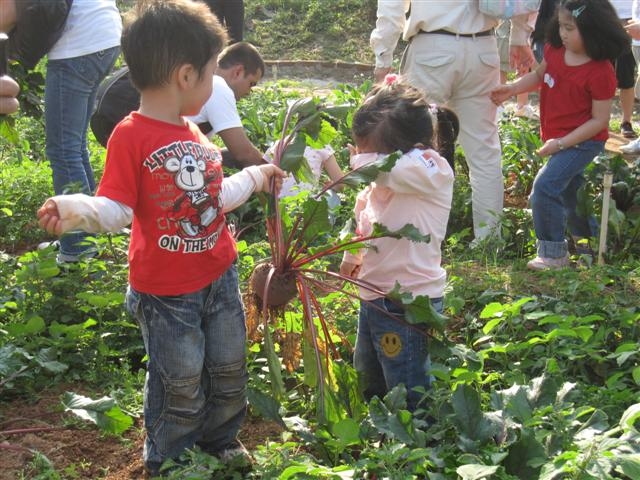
x=161, y=35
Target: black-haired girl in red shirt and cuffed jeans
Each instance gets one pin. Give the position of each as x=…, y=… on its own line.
x=577, y=85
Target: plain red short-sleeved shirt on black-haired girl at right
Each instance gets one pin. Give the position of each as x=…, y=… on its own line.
x=567, y=93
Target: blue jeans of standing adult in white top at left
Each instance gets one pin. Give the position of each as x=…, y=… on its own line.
x=70, y=93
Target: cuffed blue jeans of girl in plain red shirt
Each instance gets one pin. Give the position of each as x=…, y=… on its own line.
x=554, y=199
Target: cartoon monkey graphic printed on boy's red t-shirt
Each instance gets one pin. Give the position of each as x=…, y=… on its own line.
x=195, y=209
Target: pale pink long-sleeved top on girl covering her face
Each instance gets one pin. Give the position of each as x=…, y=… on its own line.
x=418, y=191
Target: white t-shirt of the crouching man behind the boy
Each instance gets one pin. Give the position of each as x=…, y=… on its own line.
x=220, y=110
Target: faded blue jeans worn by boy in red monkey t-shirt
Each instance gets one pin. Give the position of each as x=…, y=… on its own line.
x=195, y=388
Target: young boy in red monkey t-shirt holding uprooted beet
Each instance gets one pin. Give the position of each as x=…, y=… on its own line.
x=163, y=174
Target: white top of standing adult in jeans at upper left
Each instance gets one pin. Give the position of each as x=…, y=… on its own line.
x=92, y=26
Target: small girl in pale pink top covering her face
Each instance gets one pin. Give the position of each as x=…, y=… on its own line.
x=418, y=190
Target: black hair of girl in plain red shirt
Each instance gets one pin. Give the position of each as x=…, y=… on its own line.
x=602, y=32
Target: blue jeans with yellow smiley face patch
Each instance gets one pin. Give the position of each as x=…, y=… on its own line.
x=390, y=351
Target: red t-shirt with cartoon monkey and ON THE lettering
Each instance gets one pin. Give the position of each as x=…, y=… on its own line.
x=171, y=176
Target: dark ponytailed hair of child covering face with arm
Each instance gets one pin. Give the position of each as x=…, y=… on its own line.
x=397, y=117
